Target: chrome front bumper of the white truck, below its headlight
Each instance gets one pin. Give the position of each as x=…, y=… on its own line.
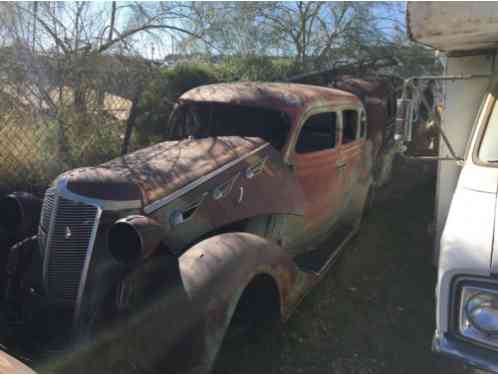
x=470, y=354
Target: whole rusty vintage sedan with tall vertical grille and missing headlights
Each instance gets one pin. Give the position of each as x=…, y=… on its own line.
x=148, y=258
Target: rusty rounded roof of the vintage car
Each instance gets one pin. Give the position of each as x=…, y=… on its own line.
x=280, y=96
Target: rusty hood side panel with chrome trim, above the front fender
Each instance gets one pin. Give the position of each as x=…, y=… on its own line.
x=259, y=185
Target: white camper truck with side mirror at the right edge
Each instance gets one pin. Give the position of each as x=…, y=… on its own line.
x=466, y=222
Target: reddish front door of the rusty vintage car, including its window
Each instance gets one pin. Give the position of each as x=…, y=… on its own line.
x=318, y=166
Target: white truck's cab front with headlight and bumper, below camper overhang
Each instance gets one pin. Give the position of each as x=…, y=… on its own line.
x=467, y=288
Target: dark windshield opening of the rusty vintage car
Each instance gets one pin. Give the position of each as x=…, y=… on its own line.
x=202, y=120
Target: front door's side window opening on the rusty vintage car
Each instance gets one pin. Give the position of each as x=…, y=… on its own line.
x=317, y=133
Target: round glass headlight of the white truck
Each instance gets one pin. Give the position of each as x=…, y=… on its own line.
x=482, y=312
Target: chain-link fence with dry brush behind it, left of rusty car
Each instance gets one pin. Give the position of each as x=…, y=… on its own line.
x=55, y=121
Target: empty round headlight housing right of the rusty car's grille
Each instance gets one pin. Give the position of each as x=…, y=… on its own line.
x=134, y=238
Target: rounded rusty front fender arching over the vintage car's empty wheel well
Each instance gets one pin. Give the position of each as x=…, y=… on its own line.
x=215, y=273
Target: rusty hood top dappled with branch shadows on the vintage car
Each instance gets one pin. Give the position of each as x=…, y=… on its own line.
x=154, y=172
